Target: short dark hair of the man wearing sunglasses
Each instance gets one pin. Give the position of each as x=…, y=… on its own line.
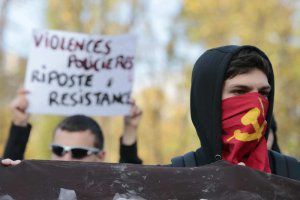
x=82, y=123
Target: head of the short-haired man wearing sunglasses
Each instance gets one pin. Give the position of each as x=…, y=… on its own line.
x=78, y=138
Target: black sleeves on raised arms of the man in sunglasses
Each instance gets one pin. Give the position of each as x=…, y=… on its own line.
x=18, y=138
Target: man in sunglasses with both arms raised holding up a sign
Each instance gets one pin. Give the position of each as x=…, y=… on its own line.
x=77, y=137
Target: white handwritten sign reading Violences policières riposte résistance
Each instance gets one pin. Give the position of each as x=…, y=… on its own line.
x=74, y=73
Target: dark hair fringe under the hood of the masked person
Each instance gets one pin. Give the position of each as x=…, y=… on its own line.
x=245, y=61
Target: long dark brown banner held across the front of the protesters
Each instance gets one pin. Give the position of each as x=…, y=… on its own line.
x=80, y=180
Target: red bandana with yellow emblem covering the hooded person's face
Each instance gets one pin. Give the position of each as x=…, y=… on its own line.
x=244, y=125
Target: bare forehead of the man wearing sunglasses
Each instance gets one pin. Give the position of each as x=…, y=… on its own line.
x=77, y=138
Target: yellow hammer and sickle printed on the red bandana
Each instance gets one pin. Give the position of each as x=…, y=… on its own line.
x=250, y=118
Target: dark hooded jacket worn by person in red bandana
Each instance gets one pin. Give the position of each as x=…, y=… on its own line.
x=205, y=103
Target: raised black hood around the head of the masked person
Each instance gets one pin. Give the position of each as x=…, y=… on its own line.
x=206, y=97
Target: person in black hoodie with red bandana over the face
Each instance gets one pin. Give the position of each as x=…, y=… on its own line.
x=231, y=102
